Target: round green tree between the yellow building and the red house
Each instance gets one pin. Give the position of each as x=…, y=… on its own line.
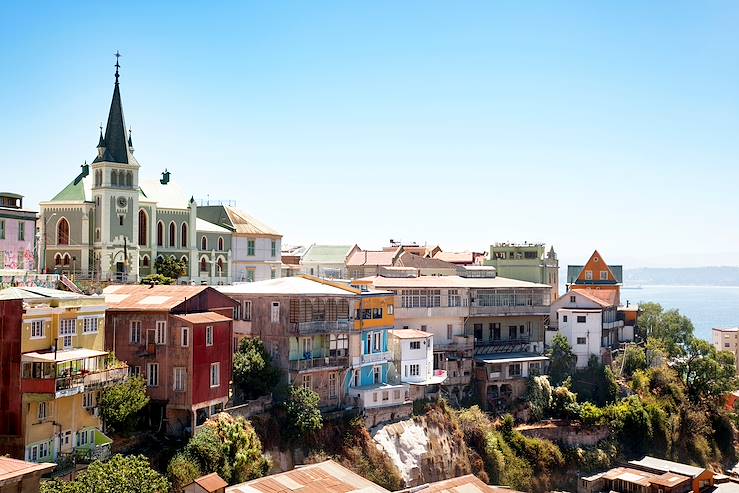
x=120, y=404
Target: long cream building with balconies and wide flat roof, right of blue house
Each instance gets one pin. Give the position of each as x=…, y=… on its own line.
x=469, y=316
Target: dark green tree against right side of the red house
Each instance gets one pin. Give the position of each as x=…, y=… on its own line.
x=253, y=373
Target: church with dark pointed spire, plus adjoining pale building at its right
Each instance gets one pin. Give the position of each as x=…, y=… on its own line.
x=107, y=224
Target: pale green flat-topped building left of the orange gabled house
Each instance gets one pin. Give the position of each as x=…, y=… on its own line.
x=526, y=262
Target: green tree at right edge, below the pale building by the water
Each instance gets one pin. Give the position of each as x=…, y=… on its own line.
x=706, y=372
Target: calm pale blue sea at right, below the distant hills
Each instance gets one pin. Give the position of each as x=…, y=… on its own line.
x=706, y=306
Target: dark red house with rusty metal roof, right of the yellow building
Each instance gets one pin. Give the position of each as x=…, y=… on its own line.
x=180, y=340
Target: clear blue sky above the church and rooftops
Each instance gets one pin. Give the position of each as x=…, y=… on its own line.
x=582, y=124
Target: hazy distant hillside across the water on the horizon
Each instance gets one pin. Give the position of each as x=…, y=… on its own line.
x=705, y=276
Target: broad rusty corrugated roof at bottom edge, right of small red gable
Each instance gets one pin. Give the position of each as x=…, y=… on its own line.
x=324, y=477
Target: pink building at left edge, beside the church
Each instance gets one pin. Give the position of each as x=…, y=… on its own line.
x=17, y=233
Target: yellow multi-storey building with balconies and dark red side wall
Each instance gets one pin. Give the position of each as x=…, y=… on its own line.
x=53, y=366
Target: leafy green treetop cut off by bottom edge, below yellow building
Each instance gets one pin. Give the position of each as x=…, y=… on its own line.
x=121, y=474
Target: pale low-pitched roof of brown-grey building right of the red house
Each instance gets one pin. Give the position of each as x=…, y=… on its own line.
x=297, y=285
